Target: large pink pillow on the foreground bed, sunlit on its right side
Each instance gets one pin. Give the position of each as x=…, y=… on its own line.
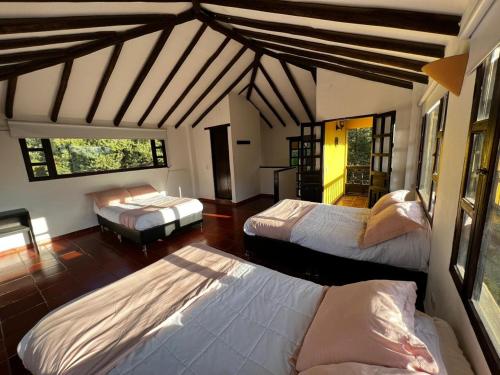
x=369, y=322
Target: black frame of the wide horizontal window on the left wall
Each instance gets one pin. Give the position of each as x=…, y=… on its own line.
x=52, y=170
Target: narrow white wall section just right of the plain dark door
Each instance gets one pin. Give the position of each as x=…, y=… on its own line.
x=245, y=125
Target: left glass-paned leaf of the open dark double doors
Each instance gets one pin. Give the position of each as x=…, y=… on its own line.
x=310, y=173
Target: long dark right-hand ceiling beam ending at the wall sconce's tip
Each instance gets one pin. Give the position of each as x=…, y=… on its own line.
x=397, y=73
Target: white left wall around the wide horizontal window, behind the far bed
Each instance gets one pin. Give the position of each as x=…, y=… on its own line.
x=60, y=206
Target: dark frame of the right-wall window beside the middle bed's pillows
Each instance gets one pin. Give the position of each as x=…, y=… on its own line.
x=436, y=155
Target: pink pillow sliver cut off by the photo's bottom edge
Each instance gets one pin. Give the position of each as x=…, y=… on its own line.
x=352, y=368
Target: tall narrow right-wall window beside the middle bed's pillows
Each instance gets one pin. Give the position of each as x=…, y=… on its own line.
x=430, y=149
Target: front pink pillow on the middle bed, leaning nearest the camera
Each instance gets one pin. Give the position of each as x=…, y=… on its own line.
x=392, y=222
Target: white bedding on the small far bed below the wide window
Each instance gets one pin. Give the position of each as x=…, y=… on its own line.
x=186, y=212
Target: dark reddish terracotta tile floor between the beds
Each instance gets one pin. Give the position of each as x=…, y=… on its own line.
x=32, y=285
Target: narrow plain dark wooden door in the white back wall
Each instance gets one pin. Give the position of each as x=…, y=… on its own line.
x=220, y=162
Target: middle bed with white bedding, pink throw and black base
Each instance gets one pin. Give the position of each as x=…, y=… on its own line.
x=322, y=242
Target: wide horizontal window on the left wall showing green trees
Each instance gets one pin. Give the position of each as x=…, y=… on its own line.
x=47, y=159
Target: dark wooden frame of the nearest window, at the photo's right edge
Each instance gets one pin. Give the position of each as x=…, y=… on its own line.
x=477, y=210
